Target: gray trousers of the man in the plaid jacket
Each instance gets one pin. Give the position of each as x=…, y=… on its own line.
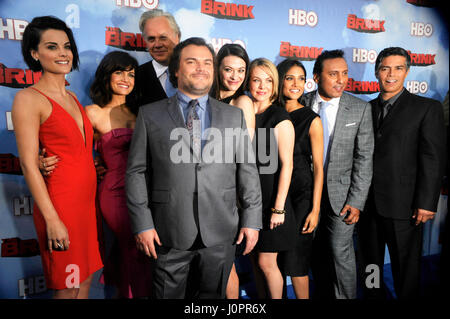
x=333, y=262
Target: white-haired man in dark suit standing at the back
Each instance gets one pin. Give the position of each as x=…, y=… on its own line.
x=161, y=34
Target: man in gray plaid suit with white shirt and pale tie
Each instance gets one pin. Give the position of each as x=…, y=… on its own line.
x=348, y=150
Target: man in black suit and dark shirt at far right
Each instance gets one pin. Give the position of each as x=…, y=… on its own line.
x=407, y=172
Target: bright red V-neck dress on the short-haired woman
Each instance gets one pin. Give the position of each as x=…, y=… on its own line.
x=72, y=189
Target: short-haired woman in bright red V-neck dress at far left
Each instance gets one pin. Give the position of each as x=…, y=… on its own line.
x=48, y=116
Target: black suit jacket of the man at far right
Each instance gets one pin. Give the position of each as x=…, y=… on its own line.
x=409, y=156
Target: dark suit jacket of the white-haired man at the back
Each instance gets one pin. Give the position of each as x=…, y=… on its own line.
x=148, y=87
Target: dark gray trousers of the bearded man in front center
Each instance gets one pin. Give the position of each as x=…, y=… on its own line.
x=198, y=273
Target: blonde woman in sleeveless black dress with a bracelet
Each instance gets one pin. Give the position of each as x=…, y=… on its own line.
x=274, y=145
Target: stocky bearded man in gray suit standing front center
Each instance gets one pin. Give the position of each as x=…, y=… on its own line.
x=187, y=204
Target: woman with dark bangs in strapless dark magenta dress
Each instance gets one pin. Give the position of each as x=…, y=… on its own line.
x=113, y=116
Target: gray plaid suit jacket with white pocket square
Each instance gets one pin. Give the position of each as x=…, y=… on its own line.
x=349, y=170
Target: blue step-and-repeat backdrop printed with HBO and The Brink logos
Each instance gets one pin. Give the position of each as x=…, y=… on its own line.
x=266, y=28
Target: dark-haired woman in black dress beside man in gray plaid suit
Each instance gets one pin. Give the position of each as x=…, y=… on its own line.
x=307, y=177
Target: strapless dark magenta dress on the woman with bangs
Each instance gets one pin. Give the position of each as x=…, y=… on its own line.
x=126, y=267
